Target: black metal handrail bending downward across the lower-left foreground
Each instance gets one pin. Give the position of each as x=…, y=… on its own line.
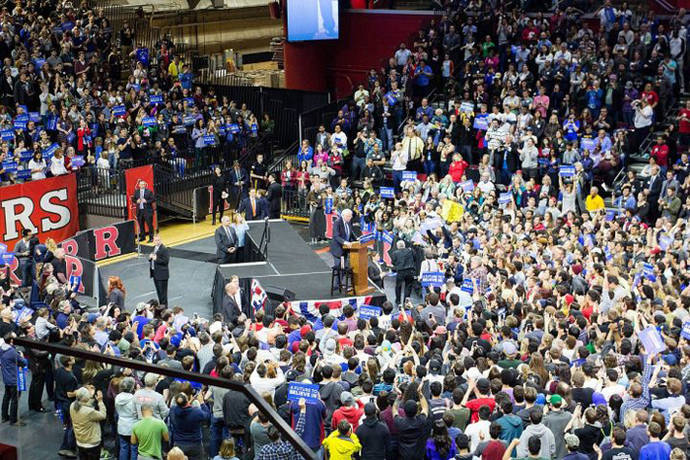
x=143, y=366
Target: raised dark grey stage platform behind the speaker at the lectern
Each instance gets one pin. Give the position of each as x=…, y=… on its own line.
x=290, y=264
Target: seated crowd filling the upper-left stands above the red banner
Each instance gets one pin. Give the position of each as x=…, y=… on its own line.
x=77, y=94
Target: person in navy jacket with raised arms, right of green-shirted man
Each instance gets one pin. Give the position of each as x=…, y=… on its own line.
x=186, y=419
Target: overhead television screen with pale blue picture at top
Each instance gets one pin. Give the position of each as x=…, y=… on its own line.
x=312, y=20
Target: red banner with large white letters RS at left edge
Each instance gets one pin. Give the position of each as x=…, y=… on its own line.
x=48, y=207
